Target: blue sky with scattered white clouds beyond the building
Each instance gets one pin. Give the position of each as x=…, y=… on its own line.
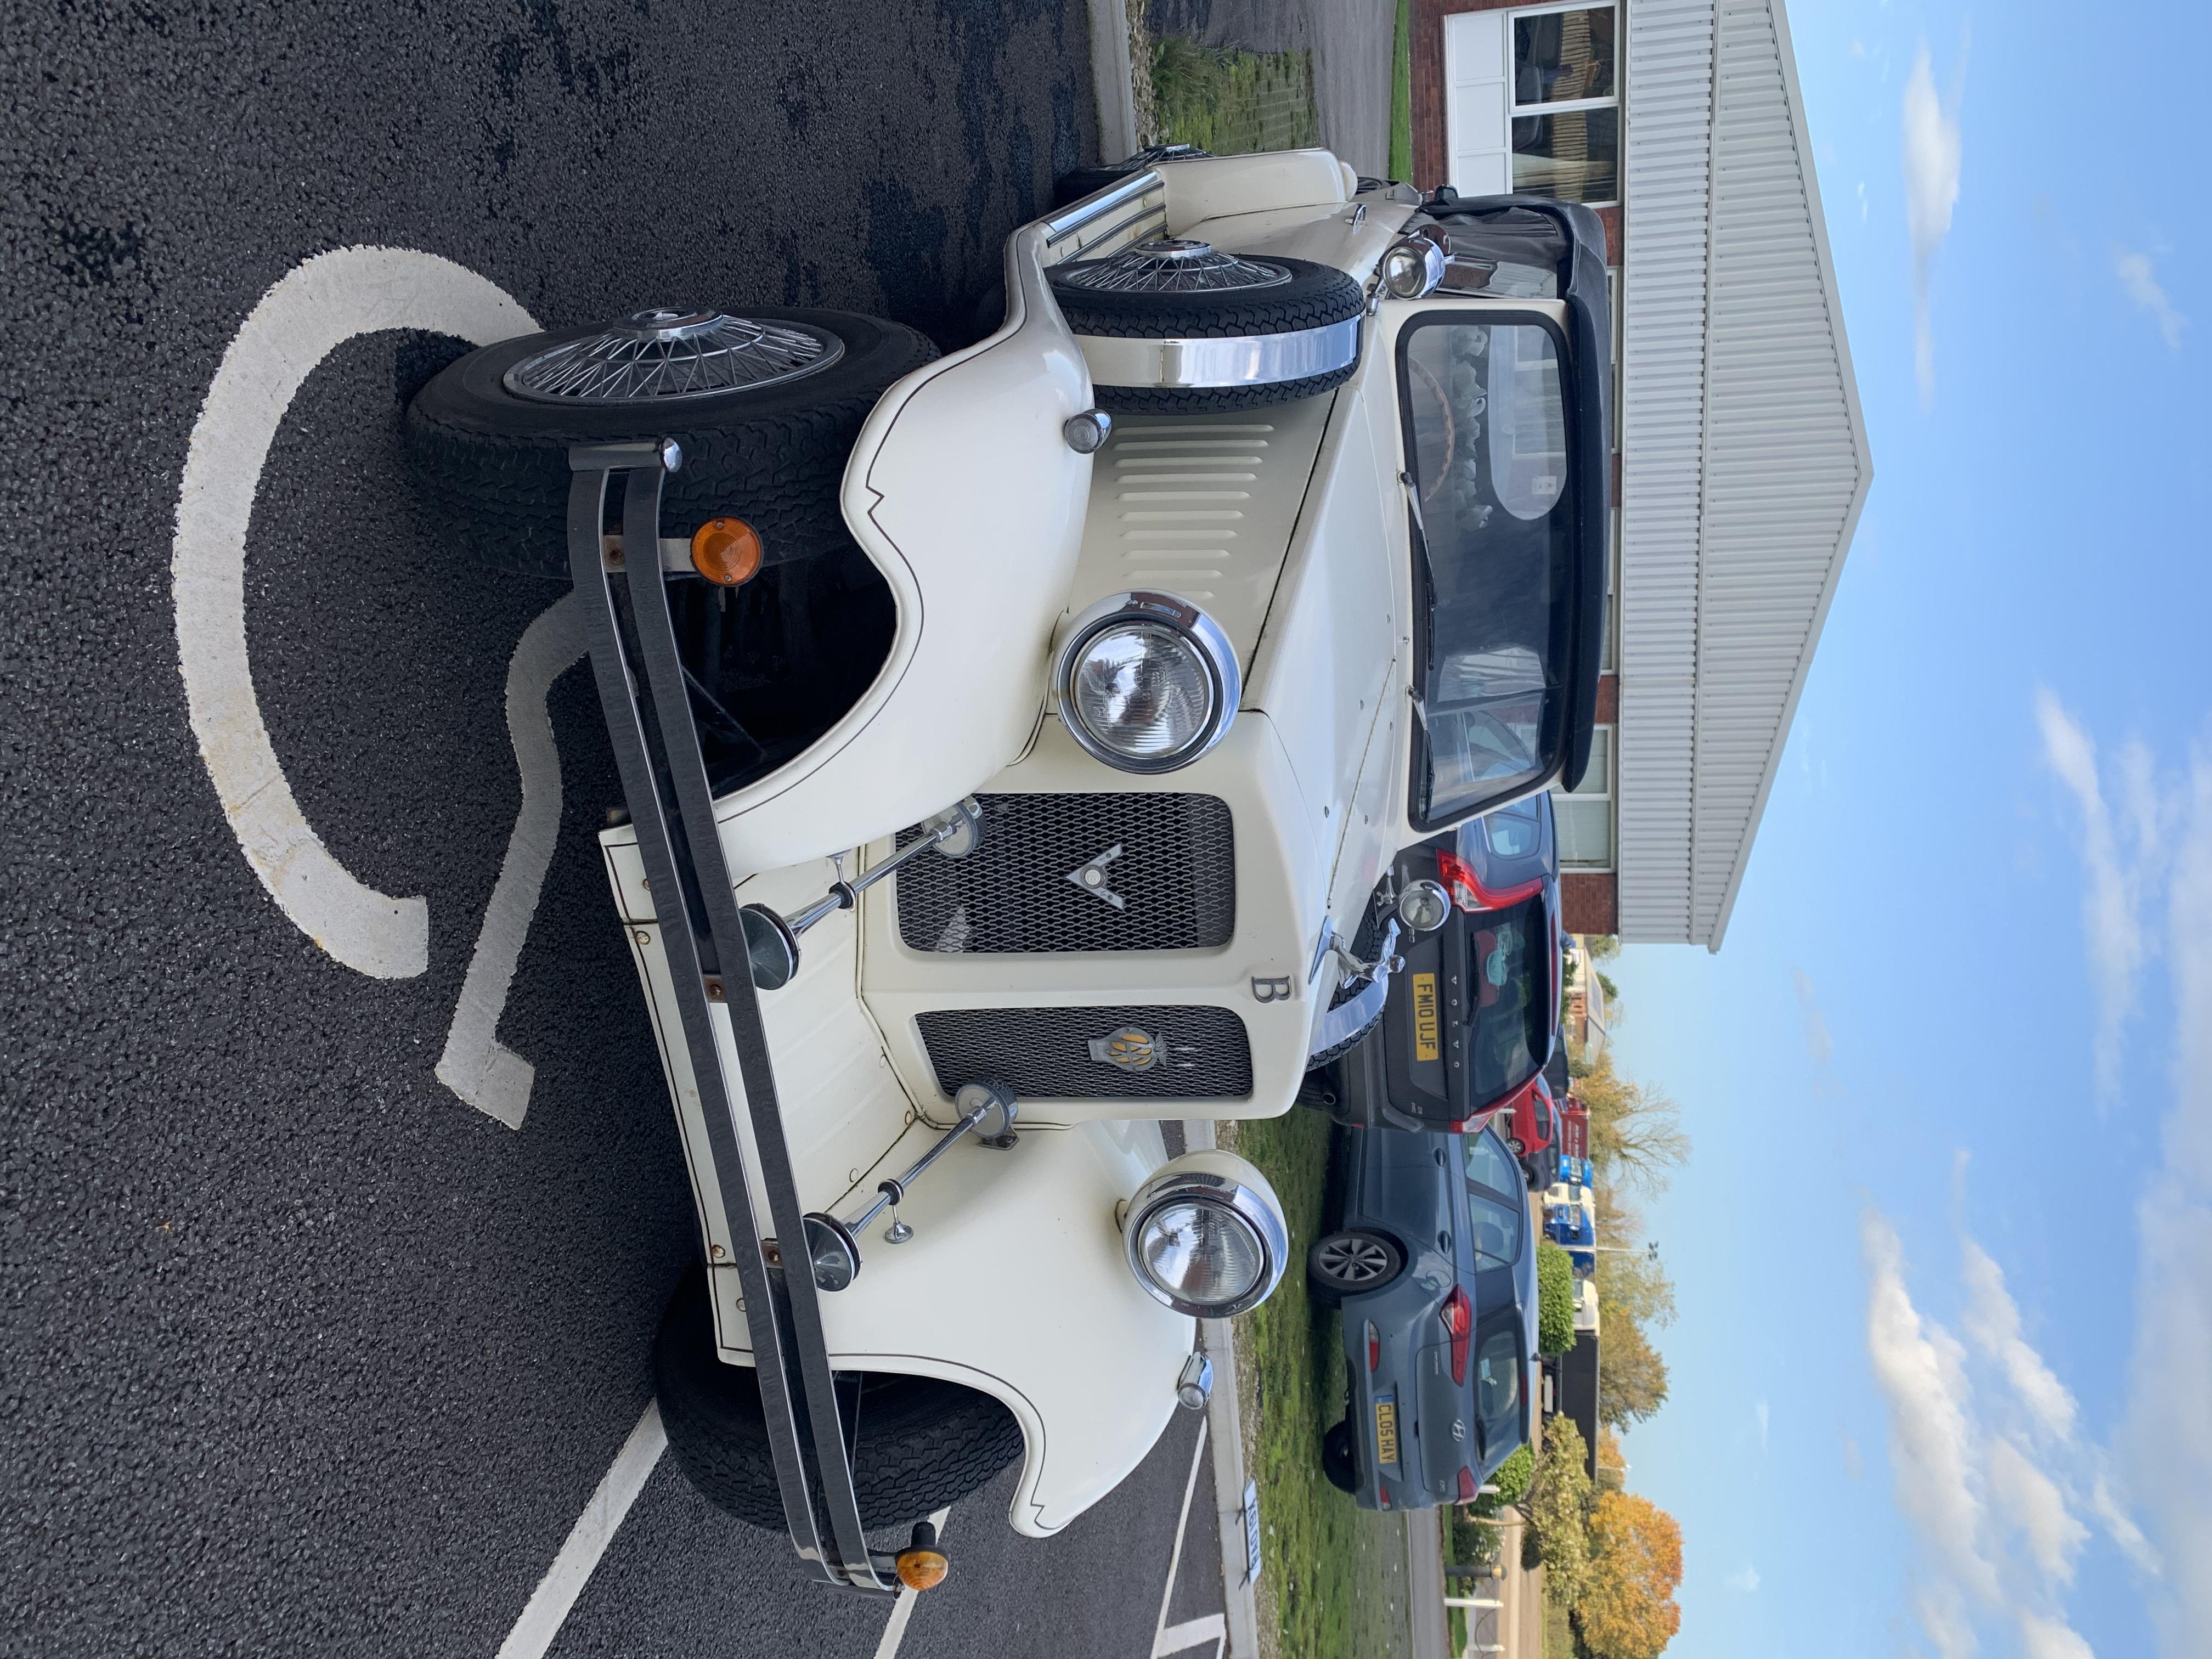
x=1943, y=1373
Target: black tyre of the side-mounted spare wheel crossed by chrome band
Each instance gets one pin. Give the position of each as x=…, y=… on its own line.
x=1313, y=298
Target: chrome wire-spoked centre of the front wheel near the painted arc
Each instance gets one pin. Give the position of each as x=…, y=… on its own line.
x=665, y=355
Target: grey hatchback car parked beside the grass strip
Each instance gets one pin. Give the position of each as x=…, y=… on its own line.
x=1434, y=1271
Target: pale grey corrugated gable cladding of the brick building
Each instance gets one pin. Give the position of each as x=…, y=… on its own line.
x=1744, y=457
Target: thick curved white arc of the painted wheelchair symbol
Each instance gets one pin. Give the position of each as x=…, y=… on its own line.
x=315, y=309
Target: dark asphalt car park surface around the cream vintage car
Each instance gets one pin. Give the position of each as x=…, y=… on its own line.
x=302, y=1353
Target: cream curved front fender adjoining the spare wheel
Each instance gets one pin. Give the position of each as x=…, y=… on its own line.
x=968, y=499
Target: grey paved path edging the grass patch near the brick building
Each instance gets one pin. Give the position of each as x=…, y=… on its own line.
x=1353, y=59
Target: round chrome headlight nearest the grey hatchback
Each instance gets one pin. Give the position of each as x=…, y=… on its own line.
x=1207, y=1235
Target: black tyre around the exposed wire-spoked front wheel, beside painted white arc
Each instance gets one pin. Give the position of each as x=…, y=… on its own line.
x=775, y=457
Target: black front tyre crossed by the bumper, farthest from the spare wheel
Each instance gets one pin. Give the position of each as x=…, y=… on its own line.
x=924, y=1443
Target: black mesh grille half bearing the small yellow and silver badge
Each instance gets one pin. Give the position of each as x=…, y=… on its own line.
x=1200, y=1054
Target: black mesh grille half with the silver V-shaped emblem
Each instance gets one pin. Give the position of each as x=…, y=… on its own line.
x=1176, y=877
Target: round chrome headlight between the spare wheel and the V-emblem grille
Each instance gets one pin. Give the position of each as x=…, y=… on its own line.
x=1147, y=682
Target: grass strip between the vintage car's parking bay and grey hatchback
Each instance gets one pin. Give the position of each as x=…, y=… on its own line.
x=1335, y=1574
